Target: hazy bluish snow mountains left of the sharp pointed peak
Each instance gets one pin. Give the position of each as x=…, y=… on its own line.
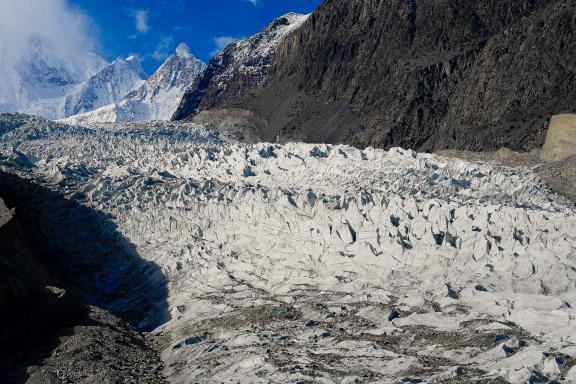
x=56, y=89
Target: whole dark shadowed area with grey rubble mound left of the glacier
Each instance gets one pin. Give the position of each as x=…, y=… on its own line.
x=56, y=255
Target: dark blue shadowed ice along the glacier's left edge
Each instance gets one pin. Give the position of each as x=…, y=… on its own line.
x=83, y=251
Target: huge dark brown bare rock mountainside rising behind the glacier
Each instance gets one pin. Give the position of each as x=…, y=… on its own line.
x=422, y=74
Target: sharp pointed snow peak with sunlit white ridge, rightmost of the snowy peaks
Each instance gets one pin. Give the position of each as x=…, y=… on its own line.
x=155, y=99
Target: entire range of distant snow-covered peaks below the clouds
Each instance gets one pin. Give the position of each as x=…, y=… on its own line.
x=90, y=90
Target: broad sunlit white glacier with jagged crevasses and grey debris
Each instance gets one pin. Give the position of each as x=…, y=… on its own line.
x=329, y=264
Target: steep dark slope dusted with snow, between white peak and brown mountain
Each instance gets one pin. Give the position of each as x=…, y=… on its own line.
x=241, y=66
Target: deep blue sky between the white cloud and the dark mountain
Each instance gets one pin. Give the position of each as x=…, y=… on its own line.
x=152, y=29
